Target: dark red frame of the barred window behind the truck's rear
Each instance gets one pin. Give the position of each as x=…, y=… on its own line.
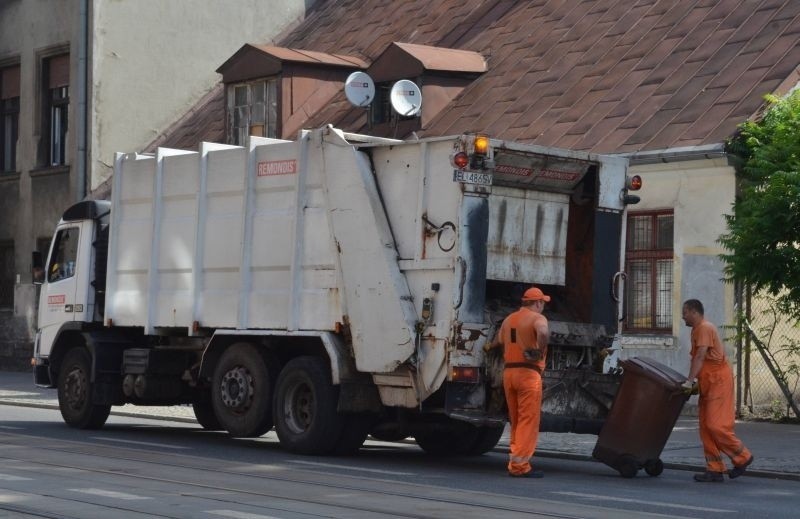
x=653, y=256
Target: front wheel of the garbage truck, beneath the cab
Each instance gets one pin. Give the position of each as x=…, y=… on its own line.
x=75, y=392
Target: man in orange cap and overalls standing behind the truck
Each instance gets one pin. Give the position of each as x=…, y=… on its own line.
x=523, y=336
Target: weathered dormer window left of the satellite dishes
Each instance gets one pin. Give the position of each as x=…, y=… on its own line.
x=252, y=110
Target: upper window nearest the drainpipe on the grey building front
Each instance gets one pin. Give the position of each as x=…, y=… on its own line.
x=56, y=108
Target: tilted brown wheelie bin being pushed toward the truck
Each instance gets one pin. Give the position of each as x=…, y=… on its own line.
x=641, y=418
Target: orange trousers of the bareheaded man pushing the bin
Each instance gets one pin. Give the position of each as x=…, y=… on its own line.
x=716, y=409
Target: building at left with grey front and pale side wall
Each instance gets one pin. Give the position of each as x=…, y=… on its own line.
x=82, y=79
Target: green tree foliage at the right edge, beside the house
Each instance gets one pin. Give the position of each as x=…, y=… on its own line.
x=763, y=239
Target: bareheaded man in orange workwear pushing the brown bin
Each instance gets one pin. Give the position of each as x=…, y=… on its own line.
x=715, y=384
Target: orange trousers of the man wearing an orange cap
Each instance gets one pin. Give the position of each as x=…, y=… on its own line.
x=523, y=389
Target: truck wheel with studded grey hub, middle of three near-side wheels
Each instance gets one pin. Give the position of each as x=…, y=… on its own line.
x=241, y=392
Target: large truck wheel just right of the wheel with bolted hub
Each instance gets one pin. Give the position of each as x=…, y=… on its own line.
x=305, y=403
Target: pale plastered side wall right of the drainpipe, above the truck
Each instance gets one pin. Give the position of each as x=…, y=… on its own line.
x=153, y=60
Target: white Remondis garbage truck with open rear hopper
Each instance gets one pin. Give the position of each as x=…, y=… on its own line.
x=334, y=287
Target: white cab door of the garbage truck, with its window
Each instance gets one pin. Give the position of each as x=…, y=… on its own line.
x=58, y=300
